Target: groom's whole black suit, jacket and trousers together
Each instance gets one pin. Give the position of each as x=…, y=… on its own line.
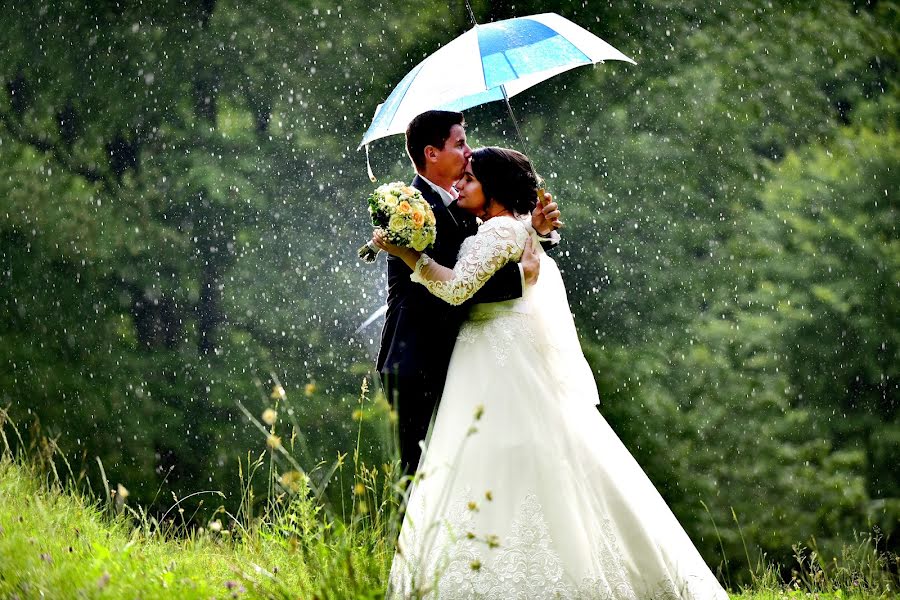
x=420, y=329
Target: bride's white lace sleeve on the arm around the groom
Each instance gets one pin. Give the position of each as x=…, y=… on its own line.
x=481, y=256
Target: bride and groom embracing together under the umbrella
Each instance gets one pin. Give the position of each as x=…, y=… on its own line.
x=523, y=490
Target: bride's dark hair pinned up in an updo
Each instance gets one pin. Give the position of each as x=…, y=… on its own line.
x=507, y=177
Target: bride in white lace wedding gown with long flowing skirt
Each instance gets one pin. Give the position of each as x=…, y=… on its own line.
x=524, y=490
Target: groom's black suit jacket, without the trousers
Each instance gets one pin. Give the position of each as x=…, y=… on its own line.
x=420, y=329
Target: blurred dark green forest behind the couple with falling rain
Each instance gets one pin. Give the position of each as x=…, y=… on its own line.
x=182, y=197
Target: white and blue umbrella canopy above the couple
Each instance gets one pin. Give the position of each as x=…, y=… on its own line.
x=489, y=62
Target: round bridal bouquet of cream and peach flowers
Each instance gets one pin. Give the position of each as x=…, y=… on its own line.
x=404, y=215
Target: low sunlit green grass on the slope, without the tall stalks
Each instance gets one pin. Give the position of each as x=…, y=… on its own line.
x=59, y=544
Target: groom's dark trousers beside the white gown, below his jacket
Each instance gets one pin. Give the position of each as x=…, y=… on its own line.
x=414, y=398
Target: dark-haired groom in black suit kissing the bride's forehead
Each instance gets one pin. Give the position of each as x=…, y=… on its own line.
x=420, y=330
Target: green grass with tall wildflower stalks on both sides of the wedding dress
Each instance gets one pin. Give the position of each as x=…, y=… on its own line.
x=59, y=541
